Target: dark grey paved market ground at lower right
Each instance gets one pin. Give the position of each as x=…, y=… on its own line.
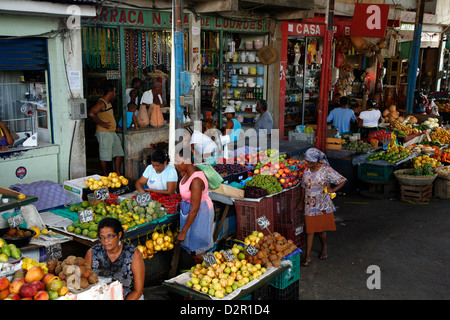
x=399, y=249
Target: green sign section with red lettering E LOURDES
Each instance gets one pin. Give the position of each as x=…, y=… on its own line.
x=220, y=23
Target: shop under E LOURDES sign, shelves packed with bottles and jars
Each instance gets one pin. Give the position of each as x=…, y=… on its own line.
x=232, y=73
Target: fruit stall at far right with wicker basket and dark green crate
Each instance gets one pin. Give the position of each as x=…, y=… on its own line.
x=410, y=152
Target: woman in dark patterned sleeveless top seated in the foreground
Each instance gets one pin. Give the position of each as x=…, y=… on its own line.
x=116, y=259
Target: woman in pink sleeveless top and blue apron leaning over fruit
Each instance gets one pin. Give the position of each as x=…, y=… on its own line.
x=197, y=209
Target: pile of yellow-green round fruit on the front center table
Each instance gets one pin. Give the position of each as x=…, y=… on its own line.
x=223, y=277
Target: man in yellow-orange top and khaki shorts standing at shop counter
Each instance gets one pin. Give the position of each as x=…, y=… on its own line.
x=110, y=146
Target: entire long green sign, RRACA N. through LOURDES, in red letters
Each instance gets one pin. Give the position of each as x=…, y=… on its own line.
x=163, y=19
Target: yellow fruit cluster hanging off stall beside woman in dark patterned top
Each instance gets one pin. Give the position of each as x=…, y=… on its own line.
x=160, y=241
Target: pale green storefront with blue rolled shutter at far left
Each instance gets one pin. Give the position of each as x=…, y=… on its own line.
x=36, y=102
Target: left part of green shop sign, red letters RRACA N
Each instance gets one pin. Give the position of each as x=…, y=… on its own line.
x=144, y=18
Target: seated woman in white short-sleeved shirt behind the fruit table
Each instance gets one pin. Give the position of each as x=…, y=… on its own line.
x=159, y=177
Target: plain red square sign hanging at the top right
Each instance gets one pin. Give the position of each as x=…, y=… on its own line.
x=370, y=20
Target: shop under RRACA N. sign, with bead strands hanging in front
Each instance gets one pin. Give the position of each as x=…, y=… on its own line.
x=120, y=45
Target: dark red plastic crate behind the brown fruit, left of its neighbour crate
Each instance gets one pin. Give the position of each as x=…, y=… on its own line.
x=248, y=211
